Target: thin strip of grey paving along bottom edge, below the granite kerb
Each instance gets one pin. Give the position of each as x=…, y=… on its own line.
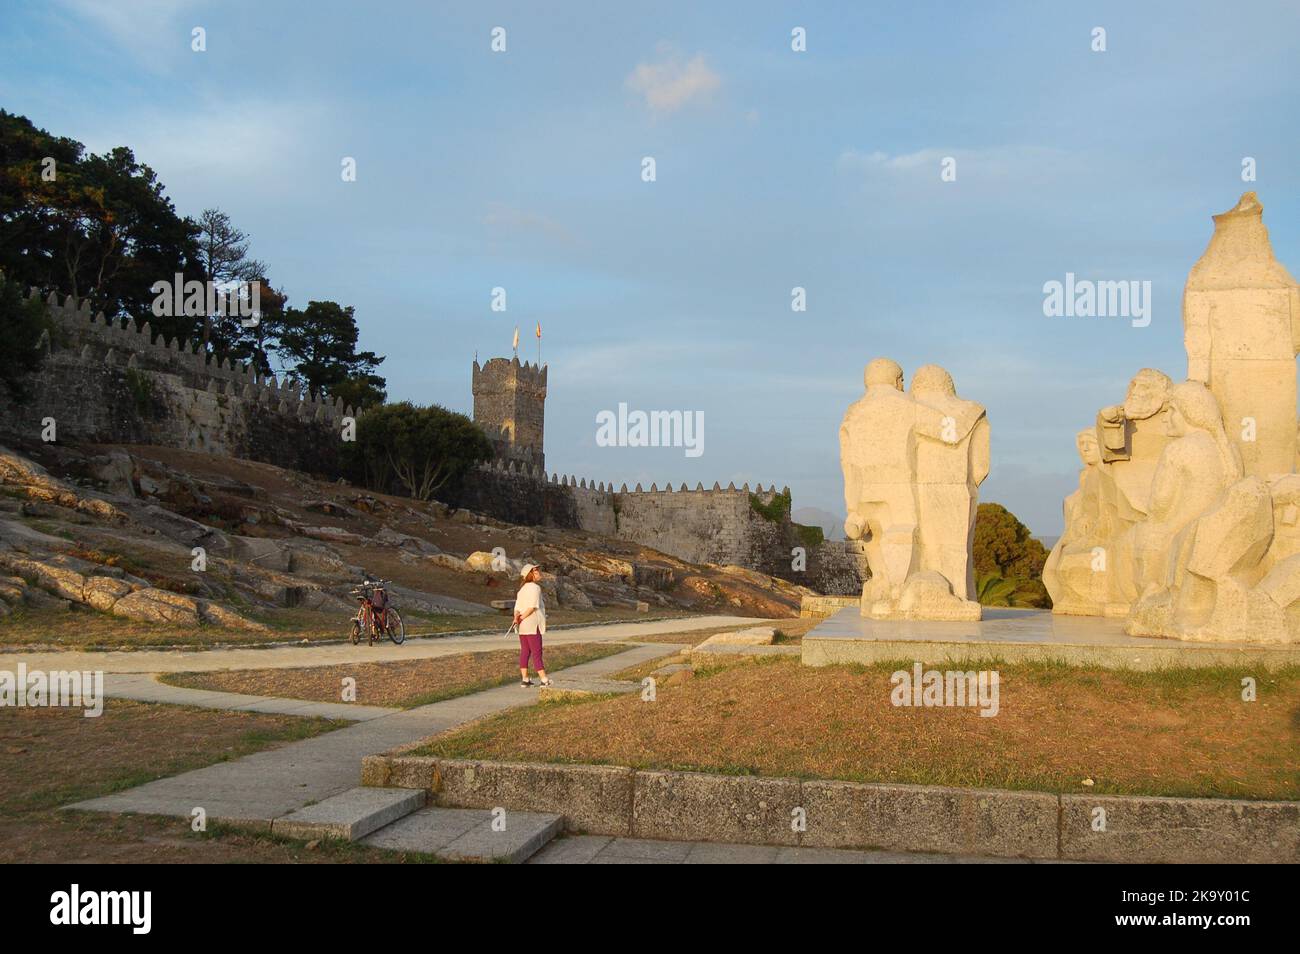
x=593, y=849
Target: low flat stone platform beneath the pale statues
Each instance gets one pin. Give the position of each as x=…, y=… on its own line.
x=1022, y=636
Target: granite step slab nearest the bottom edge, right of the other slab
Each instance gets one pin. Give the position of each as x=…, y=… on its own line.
x=467, y=835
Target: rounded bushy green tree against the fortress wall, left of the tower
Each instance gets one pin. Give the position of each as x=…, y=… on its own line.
x=424, y=449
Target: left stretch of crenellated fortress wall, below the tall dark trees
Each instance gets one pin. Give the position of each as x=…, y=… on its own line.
x=109, y=381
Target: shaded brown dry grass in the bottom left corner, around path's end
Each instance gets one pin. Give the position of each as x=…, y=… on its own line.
x=54, y=757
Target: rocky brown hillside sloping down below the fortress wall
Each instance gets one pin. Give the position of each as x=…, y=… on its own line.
x=174, y=539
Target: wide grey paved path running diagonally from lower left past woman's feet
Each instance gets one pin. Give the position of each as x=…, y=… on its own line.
x=266, y=786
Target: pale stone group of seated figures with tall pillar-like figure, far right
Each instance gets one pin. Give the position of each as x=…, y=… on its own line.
x=1188, y=517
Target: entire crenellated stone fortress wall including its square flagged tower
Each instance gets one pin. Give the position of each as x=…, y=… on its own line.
x=109, y=381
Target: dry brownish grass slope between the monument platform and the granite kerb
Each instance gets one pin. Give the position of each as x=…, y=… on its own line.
x=1184, y=732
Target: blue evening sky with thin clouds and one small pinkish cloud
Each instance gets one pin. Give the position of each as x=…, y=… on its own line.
x=822, y=170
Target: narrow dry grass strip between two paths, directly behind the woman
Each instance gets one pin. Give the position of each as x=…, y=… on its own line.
x=405, y=684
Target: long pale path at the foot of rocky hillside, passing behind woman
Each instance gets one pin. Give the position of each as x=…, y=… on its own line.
x=335, y=654
